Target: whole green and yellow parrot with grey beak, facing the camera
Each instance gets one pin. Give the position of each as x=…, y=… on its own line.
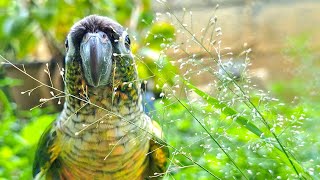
x=102, y=131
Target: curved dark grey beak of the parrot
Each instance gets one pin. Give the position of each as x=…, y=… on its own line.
x=96, y=54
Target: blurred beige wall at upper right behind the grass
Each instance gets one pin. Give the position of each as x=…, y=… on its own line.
x=264, y=26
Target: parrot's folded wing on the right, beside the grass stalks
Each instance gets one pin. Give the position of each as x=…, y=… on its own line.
x=158, y=152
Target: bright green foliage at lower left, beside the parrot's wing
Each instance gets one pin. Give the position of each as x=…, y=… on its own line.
x=19, y=135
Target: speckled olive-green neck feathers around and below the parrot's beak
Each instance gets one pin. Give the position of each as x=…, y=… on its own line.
x=123, y=90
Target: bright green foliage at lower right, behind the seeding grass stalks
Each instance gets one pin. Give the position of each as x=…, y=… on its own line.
x=279, y=143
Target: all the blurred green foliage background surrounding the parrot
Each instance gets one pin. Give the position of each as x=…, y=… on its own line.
x=36, y=30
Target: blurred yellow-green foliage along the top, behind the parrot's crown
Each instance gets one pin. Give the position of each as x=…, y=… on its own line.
x=25, y=23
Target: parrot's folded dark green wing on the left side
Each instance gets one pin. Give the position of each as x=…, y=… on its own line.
x=48, y=150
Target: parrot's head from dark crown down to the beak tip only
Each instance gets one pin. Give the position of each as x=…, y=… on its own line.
x=100, y=48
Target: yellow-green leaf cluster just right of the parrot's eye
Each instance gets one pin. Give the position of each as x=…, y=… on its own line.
x=152, y=61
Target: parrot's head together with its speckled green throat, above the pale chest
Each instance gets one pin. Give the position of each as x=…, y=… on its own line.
x=99, y=64
